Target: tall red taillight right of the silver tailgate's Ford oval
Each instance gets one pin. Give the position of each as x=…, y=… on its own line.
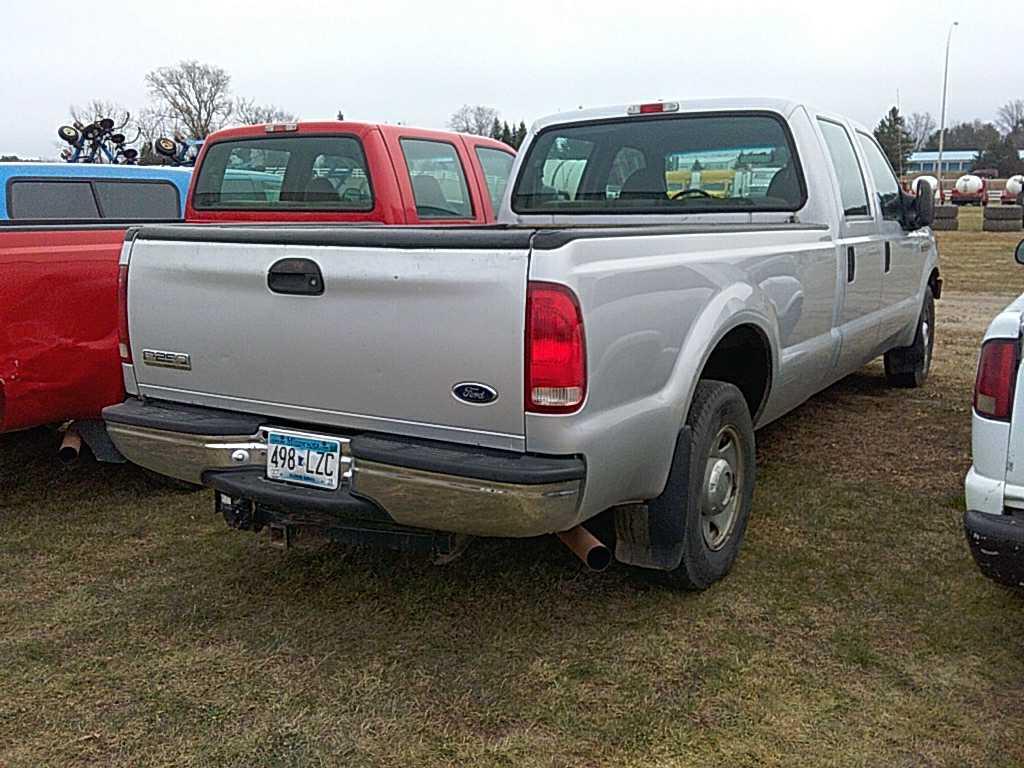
x=557, y=353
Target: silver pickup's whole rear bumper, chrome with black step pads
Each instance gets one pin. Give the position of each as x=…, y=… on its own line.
x=416, y=484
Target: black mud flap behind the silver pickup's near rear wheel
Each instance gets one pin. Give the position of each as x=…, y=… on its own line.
x=654, y=535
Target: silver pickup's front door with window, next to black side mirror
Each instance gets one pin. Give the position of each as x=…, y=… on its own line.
x=905, y=252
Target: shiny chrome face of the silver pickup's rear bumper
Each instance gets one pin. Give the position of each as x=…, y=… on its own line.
x=412, y=496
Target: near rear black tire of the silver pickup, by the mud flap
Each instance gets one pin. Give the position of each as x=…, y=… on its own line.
x=718, y=409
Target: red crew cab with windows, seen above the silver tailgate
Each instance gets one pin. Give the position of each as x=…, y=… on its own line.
x=354, y=173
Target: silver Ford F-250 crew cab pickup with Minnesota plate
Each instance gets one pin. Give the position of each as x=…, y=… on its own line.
x=666, y=278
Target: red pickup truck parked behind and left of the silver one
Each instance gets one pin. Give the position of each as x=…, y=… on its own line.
x=59, y=295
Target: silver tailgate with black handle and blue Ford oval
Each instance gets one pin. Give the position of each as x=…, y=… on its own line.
x=395, y=330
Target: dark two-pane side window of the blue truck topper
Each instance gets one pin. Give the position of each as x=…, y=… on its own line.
x=86, y=199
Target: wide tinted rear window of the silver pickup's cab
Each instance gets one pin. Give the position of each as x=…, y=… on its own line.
x=698, y=163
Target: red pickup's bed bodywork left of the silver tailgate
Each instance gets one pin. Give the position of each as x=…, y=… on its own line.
x=59, y=357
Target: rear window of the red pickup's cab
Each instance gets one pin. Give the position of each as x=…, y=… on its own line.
x=288, y=174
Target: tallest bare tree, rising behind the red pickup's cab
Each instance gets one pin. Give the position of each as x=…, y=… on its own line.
x=195, y=96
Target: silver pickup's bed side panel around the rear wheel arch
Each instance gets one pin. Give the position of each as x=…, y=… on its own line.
x=654, y=310
